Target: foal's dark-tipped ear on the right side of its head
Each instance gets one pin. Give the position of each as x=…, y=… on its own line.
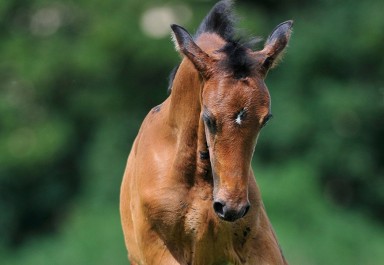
x=275, y=45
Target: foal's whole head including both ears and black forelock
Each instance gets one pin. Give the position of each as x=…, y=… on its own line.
x=235, y=105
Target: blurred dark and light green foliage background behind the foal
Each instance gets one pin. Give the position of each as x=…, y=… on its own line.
x=78, y=77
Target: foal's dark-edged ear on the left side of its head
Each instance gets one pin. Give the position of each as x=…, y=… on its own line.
x=184, y=44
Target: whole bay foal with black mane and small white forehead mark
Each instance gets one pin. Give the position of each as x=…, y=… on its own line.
x=189, y=195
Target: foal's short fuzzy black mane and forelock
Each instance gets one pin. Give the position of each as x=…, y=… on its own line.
x=221, y=21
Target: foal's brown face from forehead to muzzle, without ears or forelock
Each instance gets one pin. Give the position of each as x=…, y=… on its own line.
x=233, y=112
